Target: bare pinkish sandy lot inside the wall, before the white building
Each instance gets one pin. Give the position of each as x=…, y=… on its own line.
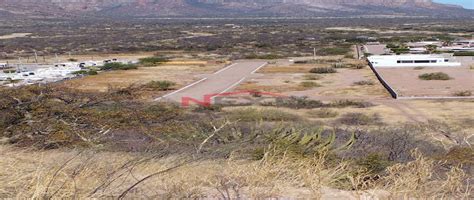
x=406, y=82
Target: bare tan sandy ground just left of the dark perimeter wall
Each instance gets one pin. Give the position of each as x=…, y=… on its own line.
x=287, y=80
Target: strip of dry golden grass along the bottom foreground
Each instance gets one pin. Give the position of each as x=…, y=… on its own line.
x=72, y=174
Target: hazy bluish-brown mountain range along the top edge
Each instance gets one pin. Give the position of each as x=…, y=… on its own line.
x=227, y=8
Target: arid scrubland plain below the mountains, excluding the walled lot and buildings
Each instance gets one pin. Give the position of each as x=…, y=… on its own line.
x=281, y=122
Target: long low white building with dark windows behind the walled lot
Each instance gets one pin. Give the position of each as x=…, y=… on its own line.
x=411, y=60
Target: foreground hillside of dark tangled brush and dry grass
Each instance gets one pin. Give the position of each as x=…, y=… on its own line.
x=107, y=144
